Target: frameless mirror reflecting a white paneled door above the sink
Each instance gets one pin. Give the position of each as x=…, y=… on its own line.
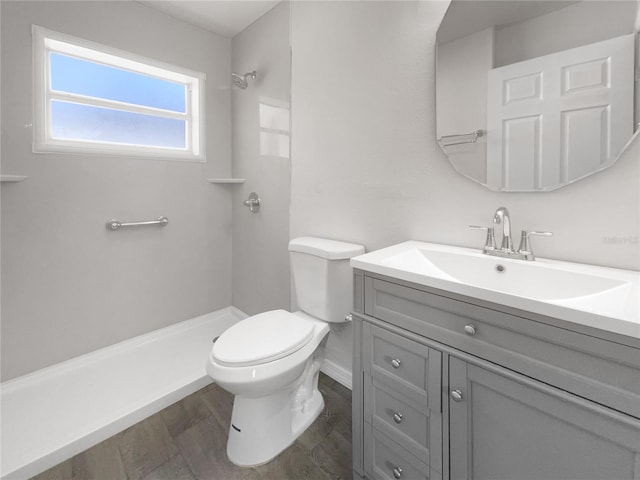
x=534, y=95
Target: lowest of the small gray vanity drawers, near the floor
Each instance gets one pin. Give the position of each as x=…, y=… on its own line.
x=386, y=460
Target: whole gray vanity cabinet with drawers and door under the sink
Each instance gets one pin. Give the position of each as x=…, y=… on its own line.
x=451, y=387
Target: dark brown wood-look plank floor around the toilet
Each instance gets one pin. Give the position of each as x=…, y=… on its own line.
x=187, y=441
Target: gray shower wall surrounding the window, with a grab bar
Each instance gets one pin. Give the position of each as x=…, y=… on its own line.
x=68, y=285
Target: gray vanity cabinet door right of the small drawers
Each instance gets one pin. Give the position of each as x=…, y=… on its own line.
x=507, y=426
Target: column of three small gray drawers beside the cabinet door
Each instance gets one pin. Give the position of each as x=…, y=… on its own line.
x=402, y=411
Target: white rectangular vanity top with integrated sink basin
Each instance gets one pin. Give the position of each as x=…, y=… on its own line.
x=601, y=297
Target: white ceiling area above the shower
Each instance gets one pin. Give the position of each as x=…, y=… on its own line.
x=224, y=17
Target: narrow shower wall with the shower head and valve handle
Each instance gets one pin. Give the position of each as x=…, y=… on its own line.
x=261, y=155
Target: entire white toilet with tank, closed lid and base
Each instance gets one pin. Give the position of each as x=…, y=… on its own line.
x=271, y=361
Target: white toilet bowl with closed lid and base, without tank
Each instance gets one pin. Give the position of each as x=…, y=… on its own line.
x=275, y=399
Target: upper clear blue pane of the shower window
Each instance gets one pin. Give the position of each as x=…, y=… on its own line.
x=73, y=75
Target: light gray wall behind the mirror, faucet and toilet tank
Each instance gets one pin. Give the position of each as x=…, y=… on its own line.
x=366, y=167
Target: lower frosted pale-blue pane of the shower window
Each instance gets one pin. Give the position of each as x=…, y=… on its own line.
x=83, y=122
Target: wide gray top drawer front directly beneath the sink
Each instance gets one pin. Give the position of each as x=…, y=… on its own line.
x=601, y=370
